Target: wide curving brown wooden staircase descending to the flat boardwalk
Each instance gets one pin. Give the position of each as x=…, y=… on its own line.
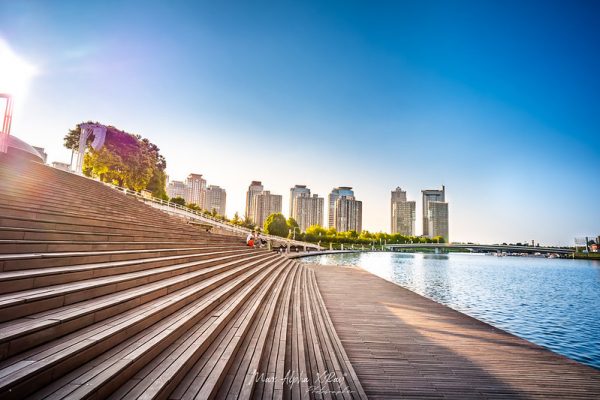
x=102, y=296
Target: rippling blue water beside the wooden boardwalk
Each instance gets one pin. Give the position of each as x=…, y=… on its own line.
x=554, y=303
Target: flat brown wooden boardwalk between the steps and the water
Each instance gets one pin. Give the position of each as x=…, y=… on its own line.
x=403, y=345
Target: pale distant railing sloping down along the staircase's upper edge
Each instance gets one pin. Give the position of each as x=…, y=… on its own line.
x=178, y=209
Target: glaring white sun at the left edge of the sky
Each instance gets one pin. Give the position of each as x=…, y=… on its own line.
x=15, y=73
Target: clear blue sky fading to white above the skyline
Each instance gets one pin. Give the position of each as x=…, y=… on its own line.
x=498, y=101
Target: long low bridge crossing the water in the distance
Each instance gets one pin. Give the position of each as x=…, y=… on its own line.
x=482, y=247
